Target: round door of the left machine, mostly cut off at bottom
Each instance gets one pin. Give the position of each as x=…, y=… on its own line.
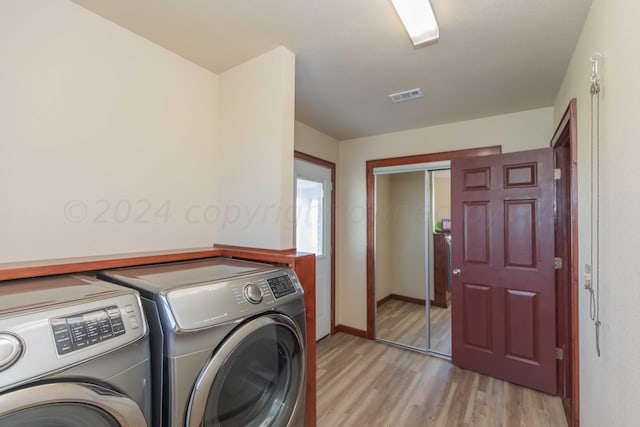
x=68, y=405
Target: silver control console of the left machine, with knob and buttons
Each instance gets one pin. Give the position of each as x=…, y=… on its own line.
x=53, y=337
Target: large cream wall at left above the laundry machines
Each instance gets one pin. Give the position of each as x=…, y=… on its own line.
x=106, y=139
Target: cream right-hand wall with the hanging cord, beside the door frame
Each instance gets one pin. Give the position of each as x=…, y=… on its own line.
x=609, y=384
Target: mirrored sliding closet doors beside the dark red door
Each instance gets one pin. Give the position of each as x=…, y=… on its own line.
x=412, y=206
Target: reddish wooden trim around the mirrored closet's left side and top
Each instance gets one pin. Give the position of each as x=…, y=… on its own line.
x=399, y=161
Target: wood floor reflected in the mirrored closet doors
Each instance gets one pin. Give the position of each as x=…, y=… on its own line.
x=405, y=323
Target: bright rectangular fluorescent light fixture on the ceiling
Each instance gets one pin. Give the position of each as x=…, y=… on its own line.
x=419, y=20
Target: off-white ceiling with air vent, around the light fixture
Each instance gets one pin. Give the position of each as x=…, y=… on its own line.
x=493, y=56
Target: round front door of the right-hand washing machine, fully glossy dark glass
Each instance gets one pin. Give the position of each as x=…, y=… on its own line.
x=255, y=378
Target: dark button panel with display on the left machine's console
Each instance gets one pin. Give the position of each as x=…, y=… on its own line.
x=85, y=329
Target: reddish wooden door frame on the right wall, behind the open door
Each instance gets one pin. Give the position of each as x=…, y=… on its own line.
x=565, y=138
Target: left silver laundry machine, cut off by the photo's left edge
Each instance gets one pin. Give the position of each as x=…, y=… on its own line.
x=74, y=352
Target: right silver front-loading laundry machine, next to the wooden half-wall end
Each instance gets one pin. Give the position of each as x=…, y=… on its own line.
x=228, y=341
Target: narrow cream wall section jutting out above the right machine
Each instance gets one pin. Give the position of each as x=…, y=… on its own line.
x=255, y=178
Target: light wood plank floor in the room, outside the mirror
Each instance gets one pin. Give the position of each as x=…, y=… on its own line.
x=366, y=383
